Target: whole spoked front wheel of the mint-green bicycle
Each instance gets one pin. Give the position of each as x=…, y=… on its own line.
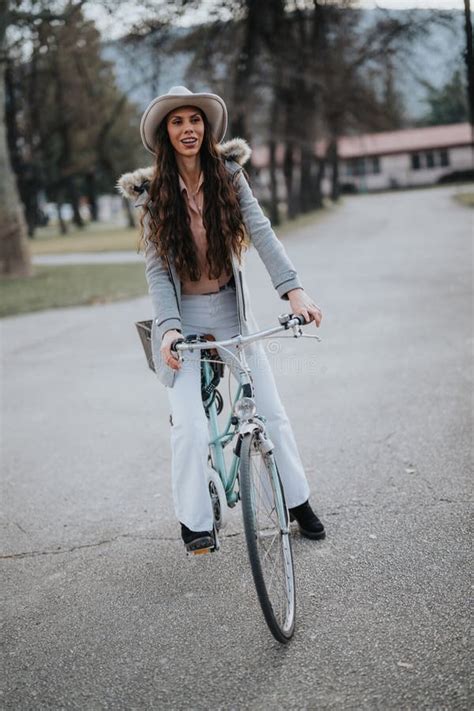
x=266, y=528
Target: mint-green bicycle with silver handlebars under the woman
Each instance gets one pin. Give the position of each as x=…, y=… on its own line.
x=253, y=476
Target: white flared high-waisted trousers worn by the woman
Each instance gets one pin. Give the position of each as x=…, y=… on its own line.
x=217, y=314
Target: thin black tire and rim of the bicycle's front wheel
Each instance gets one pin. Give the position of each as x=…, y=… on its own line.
x=281, y=625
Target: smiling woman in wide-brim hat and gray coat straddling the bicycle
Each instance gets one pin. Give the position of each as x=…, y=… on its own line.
x=199, y=215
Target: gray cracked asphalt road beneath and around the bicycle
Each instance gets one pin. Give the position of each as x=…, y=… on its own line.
x=102, y=609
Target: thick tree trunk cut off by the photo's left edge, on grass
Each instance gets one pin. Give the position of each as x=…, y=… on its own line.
x=14, y=251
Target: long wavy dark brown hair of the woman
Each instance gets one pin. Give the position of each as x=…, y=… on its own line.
x=170, y=225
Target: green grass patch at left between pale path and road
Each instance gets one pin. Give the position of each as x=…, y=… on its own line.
x=76, y=285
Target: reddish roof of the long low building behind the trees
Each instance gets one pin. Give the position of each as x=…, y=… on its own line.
x=385, y=143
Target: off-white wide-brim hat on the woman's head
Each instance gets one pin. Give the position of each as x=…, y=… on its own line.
x=211, y=104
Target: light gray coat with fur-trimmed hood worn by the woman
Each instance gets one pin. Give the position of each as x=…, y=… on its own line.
x=164, y=284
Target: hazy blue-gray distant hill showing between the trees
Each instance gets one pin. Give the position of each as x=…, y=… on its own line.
x=434, y=59
